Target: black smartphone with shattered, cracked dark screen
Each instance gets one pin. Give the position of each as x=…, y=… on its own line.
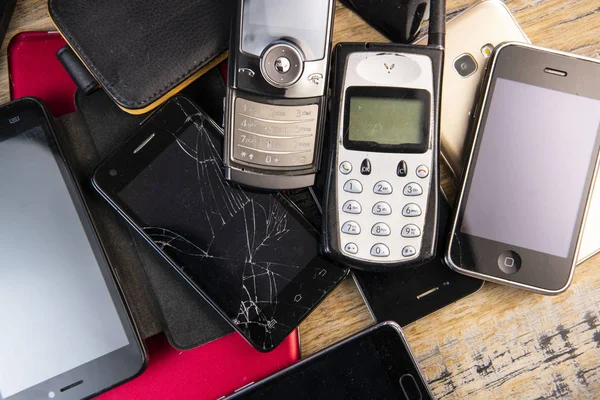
x=251, y=254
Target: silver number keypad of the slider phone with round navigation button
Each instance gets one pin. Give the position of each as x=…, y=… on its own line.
x=274, y=136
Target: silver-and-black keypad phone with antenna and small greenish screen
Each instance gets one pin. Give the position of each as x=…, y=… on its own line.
x=381, y=201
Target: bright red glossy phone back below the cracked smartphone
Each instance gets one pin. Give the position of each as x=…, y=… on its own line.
x=207, y=372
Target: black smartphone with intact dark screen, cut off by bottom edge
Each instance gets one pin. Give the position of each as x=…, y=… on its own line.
x=374, y=364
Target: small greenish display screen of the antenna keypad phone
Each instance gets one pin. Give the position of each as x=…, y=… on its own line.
x=386, y=121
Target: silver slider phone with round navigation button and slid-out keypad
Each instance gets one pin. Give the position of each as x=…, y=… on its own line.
x=275, y=106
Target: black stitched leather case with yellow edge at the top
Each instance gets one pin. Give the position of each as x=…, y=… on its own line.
x=142, y=52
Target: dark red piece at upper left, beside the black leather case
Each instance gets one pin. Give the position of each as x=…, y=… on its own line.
x=35, y=71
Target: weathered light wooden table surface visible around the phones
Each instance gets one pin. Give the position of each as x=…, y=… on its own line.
x=500, y=342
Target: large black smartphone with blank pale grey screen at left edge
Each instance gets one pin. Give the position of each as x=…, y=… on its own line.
x=66, y=332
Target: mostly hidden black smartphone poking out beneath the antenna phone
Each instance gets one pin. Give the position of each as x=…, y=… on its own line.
x=406, y=296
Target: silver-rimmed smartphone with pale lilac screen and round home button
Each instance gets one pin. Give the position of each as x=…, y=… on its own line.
x=519, y=216
